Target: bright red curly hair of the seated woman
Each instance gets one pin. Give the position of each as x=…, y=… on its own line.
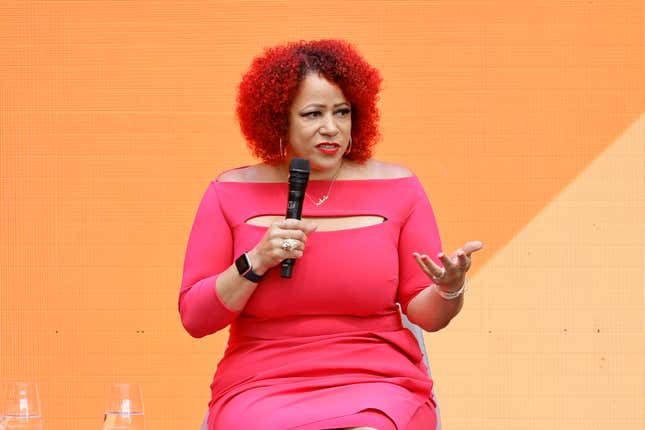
x=269, y=87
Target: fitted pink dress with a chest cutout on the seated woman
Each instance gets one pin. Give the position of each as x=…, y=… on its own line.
x=325, y=348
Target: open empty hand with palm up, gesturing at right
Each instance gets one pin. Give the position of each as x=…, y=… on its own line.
x=453, y=273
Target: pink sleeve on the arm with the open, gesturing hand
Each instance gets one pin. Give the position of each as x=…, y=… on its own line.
x=419, y=233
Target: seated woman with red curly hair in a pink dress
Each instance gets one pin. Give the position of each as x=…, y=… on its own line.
x=326, y=348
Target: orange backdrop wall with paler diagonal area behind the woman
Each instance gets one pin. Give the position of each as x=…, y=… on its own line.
x=524, y=120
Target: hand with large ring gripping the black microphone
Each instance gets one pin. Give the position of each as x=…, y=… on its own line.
x=270, y=251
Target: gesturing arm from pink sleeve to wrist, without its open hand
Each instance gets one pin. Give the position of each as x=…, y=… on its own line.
x=421, y=303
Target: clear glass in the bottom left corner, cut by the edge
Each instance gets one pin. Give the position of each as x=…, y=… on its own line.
x=21, y=407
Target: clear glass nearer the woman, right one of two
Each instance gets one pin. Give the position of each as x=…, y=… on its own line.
x=123, y=407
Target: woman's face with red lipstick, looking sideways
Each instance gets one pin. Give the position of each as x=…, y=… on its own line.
x=320, y=123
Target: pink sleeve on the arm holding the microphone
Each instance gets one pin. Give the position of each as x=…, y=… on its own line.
x=209, y=252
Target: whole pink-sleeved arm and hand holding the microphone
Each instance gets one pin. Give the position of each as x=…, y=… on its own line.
x=212, y=291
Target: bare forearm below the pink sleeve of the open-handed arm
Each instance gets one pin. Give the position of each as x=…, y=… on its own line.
x=432, y=312
